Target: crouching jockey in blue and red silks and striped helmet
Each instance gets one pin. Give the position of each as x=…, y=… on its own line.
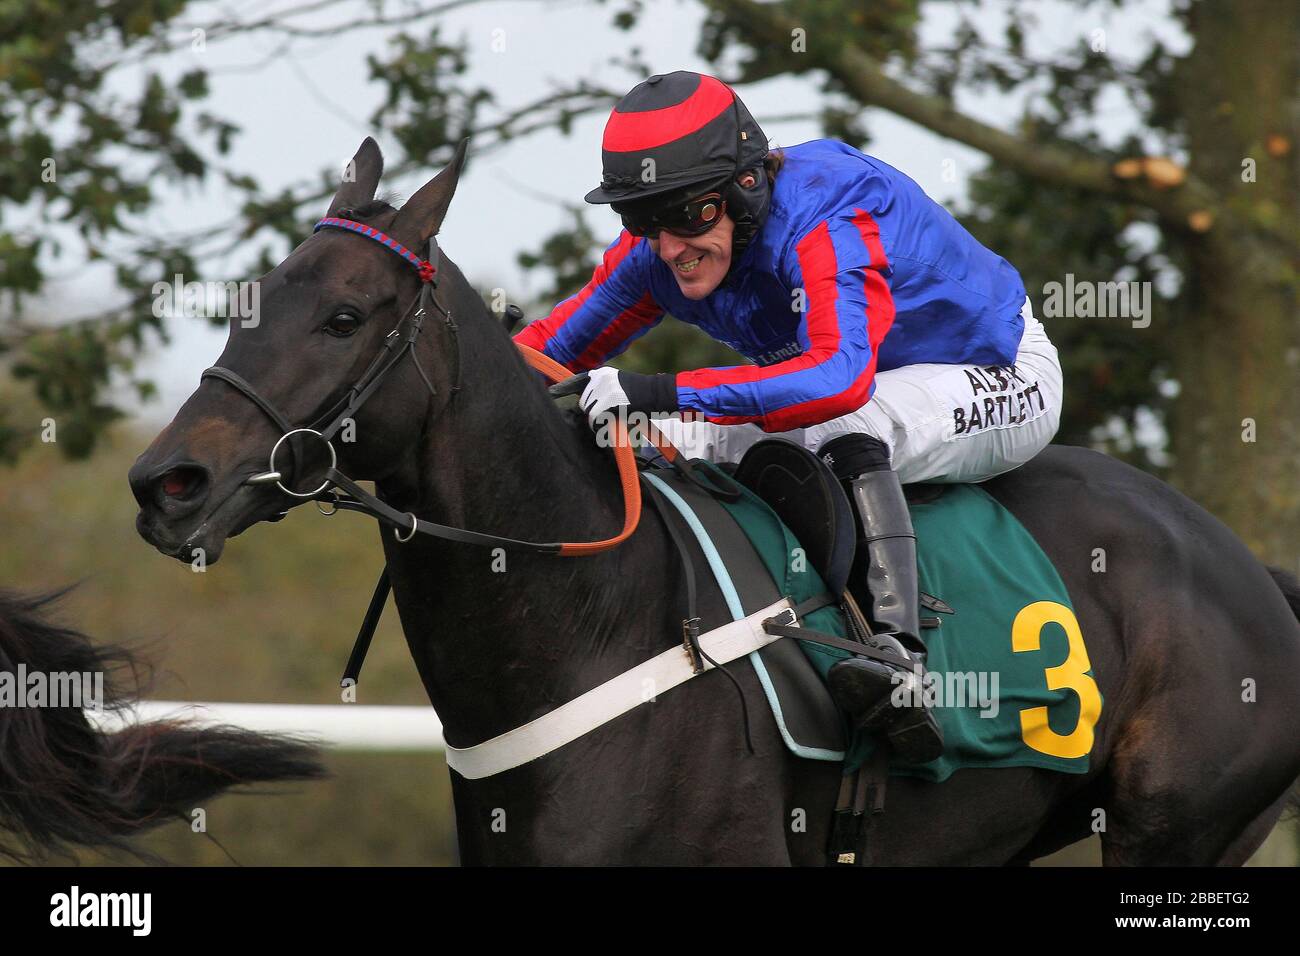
x=883, y=336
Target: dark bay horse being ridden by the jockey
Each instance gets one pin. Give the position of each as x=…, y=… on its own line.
x=1188, y=768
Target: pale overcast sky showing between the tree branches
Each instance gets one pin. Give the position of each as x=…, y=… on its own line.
x=307, y=110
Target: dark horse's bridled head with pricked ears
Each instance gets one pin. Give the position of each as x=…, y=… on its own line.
x=327, y=313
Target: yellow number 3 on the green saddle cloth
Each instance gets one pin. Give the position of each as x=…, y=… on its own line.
x=1071, y=674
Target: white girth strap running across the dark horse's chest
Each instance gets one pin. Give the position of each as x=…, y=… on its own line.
x=614, y=698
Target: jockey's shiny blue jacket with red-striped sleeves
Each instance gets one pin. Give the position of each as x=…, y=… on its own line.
x=856, y=271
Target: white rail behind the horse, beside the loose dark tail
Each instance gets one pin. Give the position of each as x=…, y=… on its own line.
x=341, y=726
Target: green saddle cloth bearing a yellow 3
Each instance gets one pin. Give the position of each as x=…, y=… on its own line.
x=1008, y=672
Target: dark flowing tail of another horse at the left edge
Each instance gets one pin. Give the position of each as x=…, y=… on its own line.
x=66, y=784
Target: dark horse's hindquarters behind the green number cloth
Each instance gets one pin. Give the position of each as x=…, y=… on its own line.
x=1194, y=647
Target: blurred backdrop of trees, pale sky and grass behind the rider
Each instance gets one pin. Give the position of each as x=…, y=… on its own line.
x=145, y=140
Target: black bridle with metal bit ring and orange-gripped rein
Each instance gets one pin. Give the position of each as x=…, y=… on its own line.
x=398, y=345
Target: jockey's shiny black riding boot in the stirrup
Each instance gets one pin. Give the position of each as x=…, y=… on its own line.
x=887, y=566
